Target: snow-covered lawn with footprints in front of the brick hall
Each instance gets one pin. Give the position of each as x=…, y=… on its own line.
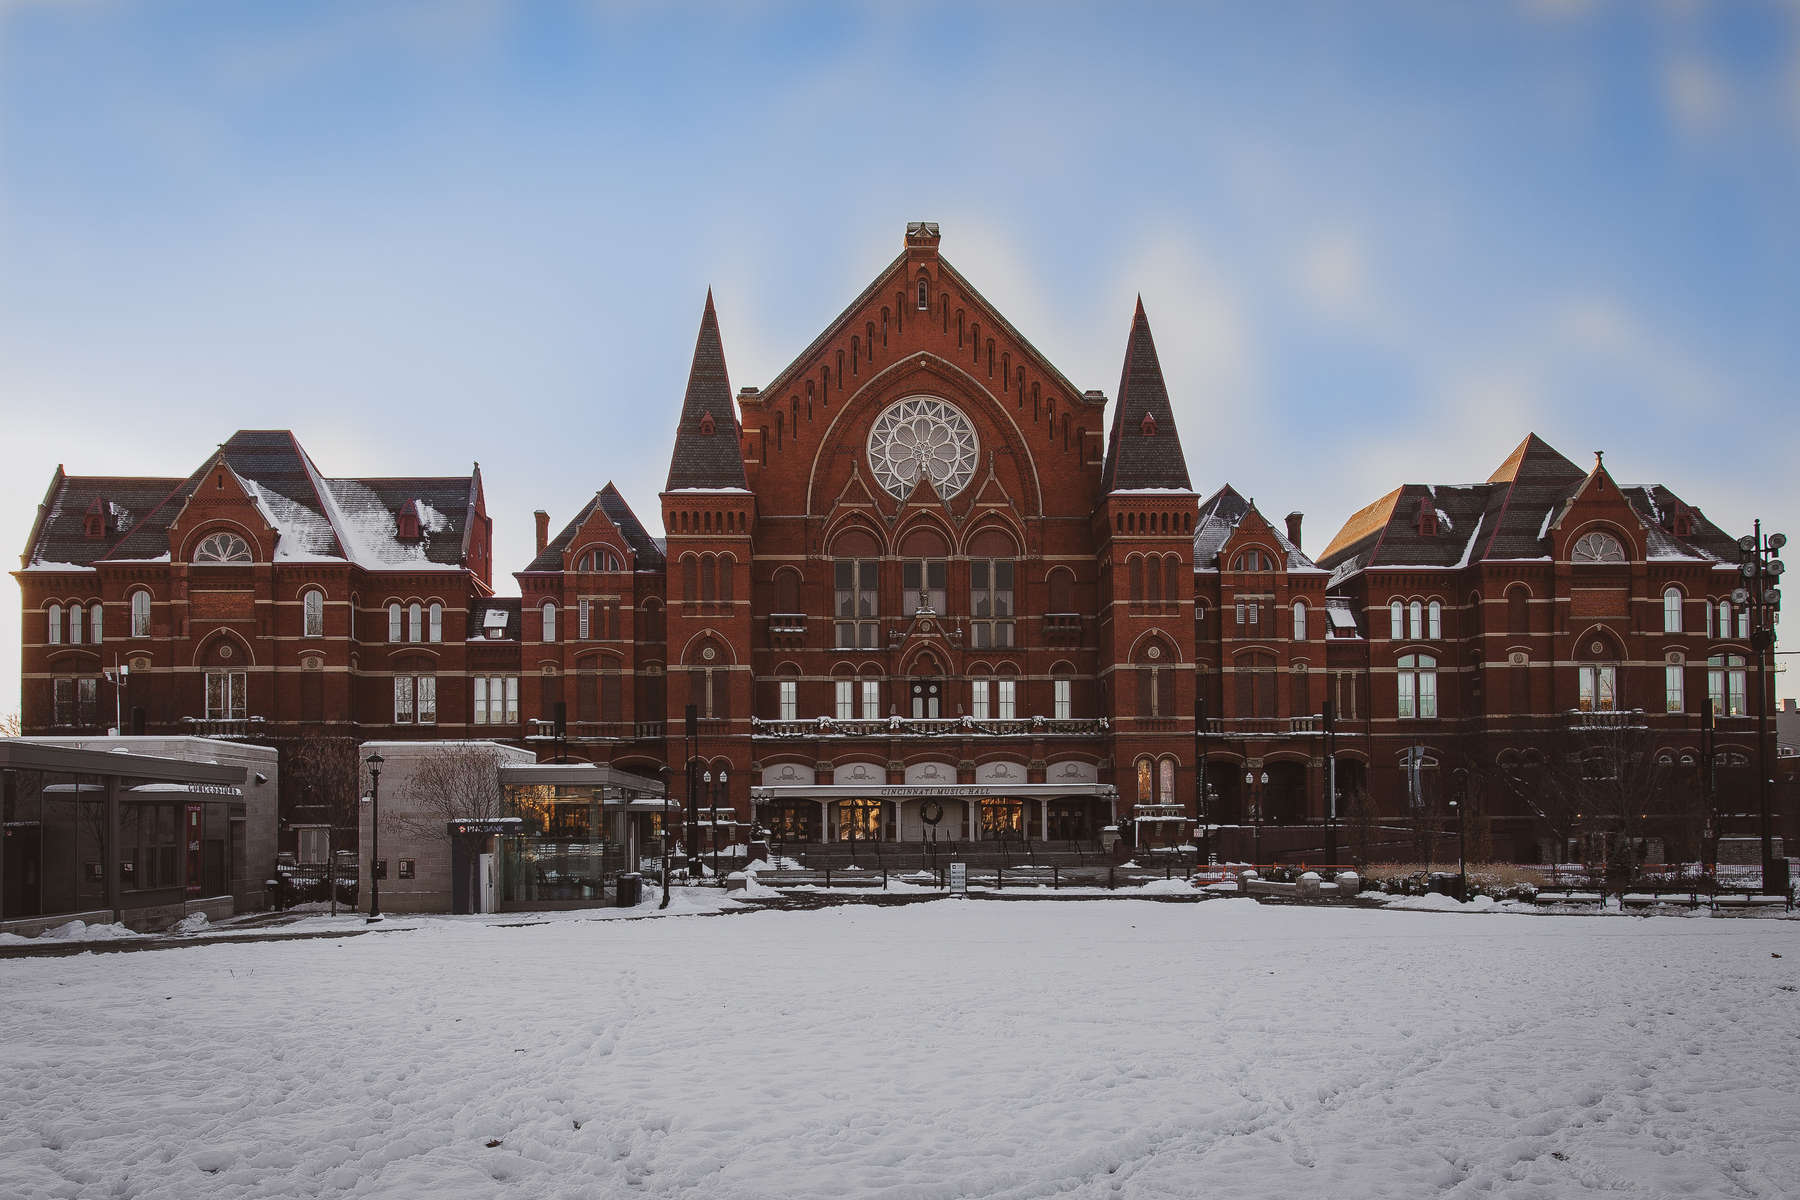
x=930, y=1052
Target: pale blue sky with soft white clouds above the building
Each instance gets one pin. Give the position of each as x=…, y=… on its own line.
x=1378, y=242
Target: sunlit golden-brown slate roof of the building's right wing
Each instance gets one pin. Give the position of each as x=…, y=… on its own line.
x=1507, y=517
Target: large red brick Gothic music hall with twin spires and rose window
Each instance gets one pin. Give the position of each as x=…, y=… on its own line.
x=921, y=586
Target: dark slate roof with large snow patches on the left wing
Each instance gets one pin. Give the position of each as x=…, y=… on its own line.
x=318, y=519
